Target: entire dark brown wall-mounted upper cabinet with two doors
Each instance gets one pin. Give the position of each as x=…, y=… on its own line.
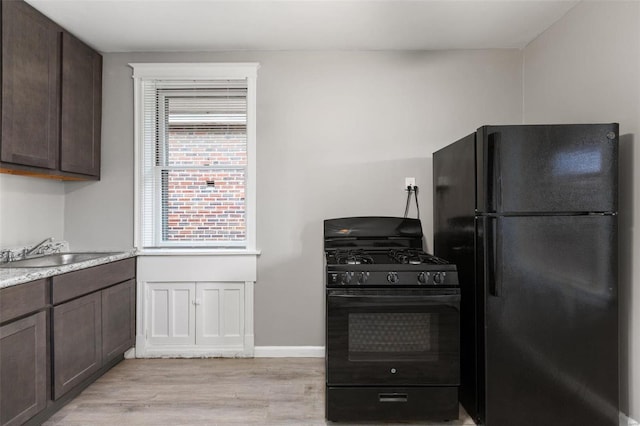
x=51, y=98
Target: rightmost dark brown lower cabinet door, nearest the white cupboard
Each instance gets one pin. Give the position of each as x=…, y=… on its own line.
x=118, y=319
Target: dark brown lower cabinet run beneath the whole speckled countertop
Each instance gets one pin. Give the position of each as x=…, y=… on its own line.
x=49, y=354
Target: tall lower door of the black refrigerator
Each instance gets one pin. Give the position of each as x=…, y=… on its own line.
x=551, y=333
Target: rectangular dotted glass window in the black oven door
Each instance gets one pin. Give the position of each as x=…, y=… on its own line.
x=393, y=336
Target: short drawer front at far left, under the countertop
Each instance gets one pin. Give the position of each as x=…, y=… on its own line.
x=22, y=299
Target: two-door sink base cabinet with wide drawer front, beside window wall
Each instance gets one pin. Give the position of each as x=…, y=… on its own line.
x=93, y=321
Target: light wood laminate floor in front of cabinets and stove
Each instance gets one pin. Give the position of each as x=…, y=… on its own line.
x=265, y=391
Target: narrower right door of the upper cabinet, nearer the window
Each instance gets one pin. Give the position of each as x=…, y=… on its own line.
x=81, y=107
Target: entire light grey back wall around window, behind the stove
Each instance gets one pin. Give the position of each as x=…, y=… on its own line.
x=337, y=134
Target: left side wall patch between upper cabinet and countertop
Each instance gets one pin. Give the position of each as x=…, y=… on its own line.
x=31, y=209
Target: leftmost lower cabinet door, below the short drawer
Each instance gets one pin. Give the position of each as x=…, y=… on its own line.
x=23, y=369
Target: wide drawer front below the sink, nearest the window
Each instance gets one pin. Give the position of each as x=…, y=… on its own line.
x=85, y=281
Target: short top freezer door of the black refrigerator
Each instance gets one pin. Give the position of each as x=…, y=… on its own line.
x=547, y=168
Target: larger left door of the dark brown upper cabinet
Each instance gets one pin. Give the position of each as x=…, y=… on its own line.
x=30, y=87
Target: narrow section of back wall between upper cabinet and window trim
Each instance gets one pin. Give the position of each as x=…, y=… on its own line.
x=99, y=215
